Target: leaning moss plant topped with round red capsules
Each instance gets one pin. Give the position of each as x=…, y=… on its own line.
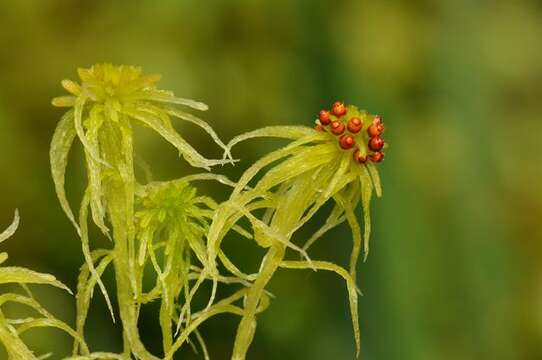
x=335, y=161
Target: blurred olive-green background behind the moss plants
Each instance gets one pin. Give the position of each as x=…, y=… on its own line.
x=455, y=270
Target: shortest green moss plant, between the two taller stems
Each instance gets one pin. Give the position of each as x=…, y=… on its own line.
x=172, y=223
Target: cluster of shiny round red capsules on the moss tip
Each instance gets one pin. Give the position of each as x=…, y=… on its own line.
x=349, y=132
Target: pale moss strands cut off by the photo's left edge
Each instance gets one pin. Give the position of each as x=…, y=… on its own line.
x=11, y=329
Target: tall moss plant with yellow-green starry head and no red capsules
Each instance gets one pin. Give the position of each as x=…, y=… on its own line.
x=109, y=100
